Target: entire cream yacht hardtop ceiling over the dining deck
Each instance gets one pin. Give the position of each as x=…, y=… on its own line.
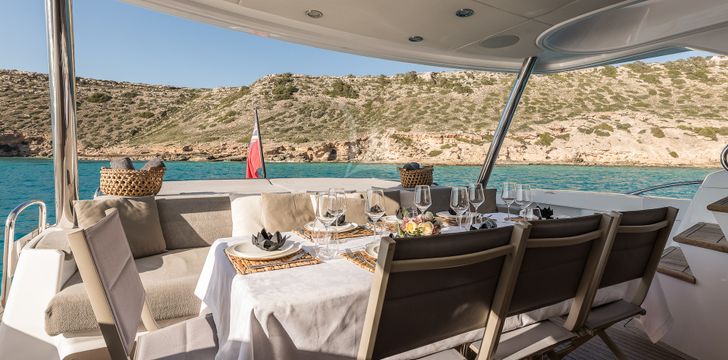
x=494, y=35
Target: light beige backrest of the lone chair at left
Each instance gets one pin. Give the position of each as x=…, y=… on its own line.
x=112, y=282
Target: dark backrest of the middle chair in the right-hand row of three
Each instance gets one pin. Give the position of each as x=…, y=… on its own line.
x=562, y=261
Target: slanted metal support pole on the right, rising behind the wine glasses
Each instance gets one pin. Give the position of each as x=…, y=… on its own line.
x=505, y=121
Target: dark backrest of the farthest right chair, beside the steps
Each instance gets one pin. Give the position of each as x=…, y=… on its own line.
x=638, y=244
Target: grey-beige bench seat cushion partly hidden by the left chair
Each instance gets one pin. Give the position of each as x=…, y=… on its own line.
x=169, y=281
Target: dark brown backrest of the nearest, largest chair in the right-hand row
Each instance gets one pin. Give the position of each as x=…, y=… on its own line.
x=431, y=288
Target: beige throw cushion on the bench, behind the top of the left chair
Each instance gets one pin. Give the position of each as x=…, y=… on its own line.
x=139, y=218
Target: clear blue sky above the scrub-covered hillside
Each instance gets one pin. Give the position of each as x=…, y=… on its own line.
x=119, y=41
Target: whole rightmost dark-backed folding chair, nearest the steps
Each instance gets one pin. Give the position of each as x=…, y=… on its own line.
x=635, y=254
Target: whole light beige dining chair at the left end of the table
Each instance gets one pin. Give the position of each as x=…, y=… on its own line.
x=117, y=297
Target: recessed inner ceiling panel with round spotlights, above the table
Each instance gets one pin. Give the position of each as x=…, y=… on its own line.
x=438, y=25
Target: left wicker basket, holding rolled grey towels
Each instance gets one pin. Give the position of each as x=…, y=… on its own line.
x=123, y=182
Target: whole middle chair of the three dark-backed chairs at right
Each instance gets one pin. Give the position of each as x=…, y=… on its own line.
x=561, y=261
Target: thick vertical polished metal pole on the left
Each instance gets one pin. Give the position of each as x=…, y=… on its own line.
x=62, y=79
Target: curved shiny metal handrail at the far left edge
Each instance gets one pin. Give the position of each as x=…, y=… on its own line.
x=9, y=243
